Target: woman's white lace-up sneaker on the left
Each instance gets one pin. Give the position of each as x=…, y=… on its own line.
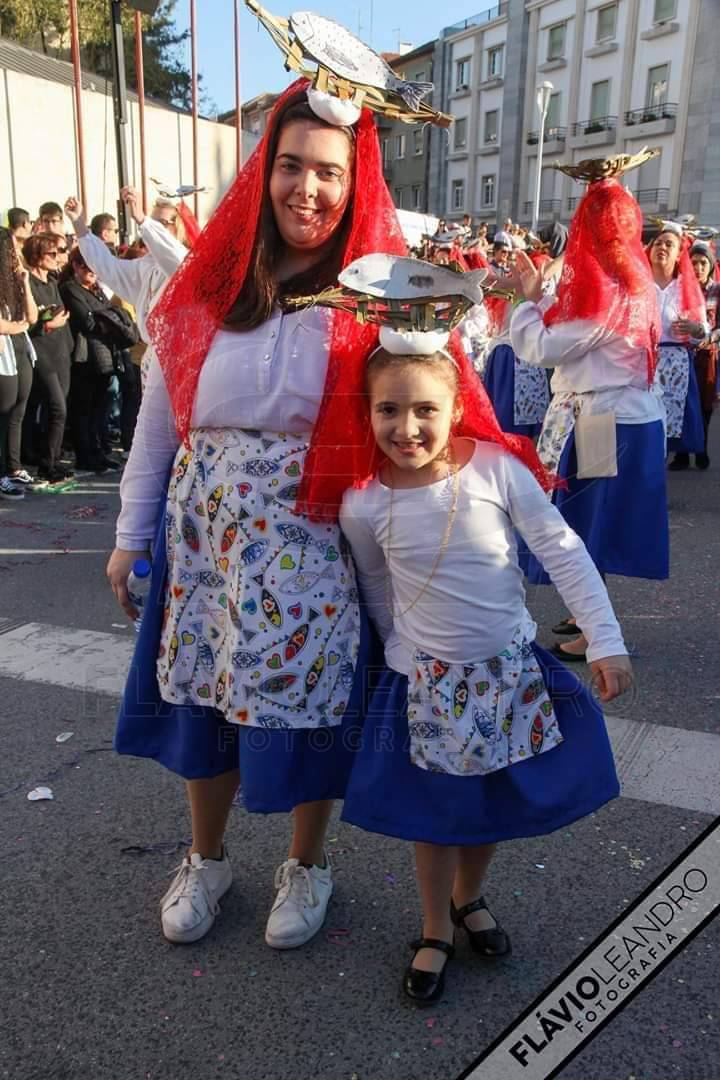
x=191, y=906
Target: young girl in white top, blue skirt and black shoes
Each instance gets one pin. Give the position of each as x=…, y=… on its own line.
x=474, y=735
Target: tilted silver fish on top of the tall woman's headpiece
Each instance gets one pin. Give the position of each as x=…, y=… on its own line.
x=341, y=52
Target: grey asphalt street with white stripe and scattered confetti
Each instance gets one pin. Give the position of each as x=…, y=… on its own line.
x=91, y=991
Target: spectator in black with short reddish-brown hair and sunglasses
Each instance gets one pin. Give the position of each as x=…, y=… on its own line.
x=53, y=345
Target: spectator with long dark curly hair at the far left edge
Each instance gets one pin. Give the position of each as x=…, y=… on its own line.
x=18, y=310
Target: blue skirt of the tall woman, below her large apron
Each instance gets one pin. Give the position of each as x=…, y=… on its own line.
x=279, y=769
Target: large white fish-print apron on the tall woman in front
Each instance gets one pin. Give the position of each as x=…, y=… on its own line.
x=262, y=613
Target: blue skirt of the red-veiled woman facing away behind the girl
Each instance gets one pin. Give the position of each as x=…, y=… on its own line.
x=622, y=520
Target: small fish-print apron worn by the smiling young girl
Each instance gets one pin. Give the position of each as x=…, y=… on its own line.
x=471, y=720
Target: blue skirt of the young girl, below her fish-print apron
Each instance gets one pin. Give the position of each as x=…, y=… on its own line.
x=389, y=795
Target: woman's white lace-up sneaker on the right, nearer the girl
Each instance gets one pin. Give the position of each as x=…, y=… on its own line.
x=301, y=904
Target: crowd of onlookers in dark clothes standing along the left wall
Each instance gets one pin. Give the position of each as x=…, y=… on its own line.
x=74, y=304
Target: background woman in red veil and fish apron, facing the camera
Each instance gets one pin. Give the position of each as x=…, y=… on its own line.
x=684, y=326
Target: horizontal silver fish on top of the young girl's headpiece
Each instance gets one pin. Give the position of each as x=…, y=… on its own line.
x=397, y=278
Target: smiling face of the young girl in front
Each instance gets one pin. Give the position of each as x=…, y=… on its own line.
x=413, y=410
